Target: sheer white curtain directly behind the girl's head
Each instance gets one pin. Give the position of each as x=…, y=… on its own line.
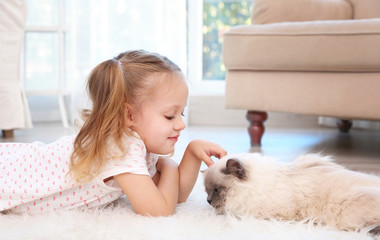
x=101, y=29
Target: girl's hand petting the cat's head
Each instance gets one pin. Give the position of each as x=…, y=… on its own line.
x=204, y=150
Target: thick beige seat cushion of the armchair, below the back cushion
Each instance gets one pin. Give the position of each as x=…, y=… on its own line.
x=334, y=46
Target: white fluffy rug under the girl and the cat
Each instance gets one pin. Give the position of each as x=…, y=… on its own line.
x=194, y=219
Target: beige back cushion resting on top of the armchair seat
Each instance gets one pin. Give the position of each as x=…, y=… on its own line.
x=271, y=11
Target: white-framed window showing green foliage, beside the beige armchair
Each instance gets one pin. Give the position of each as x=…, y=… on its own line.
x=207, y=21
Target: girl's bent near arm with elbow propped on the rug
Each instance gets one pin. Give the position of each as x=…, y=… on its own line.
x=147, y=198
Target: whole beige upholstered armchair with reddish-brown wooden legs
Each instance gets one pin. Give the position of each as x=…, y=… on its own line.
x=317, y=57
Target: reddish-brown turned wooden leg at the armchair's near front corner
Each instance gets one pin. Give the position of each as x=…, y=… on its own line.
x=256, y=127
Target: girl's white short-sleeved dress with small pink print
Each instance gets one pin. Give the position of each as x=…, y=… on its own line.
x=34, y=176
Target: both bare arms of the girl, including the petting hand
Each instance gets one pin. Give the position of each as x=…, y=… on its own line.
x=158, y=196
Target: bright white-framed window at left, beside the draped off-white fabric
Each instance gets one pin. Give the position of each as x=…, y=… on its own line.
x=44, y=47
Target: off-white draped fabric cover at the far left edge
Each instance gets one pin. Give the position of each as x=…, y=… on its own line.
x=14, y=111
